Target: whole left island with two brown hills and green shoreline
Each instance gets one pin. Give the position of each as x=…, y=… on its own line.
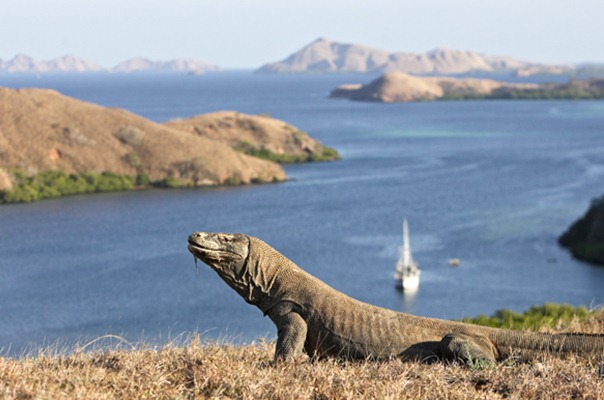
x=53, y=145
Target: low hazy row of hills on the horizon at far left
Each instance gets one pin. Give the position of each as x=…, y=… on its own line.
x=24, y=64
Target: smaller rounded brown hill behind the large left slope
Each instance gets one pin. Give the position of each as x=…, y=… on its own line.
x=256, y=135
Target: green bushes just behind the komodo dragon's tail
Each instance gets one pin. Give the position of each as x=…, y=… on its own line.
x=549, y=315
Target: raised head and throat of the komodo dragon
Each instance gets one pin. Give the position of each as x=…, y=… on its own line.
x=227, y=254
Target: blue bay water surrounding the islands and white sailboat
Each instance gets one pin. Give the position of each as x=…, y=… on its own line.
x=491, y=183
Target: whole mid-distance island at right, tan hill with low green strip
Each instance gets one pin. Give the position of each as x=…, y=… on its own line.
x=396, y=87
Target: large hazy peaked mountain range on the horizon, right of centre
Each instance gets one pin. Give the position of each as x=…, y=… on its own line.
x=326, y=56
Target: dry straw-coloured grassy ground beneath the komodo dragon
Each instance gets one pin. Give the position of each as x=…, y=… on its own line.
x=225, y=371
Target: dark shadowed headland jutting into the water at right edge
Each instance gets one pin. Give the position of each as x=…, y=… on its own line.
x=585, y=237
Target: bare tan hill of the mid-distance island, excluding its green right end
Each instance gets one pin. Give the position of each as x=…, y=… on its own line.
x=401, y=87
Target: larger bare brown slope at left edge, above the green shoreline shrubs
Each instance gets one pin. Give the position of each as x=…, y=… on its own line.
x=44, y=130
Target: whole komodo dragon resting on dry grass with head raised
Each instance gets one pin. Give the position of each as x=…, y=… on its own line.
x=313, y=318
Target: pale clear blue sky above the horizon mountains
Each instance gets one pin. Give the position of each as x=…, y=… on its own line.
x=249, y=33
